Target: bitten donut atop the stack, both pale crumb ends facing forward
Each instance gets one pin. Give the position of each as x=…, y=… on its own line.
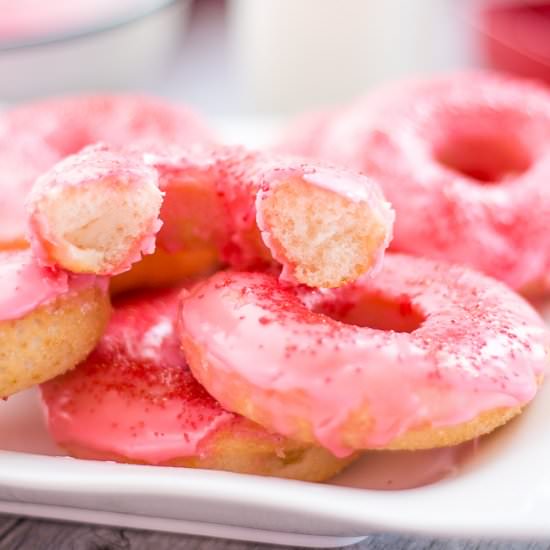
x=322, y=225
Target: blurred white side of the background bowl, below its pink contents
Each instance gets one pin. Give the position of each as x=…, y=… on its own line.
x=118, y=54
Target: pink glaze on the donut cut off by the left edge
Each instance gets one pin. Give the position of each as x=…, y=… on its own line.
x=26, y=285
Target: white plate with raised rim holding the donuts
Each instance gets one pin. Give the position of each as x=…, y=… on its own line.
x=500, y=488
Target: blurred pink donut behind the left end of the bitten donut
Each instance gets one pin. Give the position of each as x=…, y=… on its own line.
x=35, y=136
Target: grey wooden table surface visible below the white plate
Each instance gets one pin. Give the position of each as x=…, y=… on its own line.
x=19, y=533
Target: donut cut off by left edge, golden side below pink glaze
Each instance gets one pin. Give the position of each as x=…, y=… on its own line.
x=49, y=320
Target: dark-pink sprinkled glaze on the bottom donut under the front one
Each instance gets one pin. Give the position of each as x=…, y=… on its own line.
x=135, y=396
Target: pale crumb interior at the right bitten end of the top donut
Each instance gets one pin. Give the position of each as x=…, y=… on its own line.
x=330, y=238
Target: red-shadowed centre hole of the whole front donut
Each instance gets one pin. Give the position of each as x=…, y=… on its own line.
x=376, y=312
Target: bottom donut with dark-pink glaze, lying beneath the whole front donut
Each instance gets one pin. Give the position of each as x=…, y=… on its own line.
x=134, y=400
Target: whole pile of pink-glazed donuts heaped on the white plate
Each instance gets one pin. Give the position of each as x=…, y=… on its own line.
x=185, y=303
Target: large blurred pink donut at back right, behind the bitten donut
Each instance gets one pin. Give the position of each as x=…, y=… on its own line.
x=464, y=160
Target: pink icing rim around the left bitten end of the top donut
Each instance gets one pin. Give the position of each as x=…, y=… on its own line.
x=96, y=166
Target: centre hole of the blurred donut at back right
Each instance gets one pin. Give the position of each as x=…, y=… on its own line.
x=485, y=159
